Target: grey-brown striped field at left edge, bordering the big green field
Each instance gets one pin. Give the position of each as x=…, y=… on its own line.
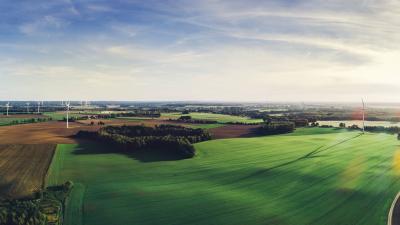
x=23, y=169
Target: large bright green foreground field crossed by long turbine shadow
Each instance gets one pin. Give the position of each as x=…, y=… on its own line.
x=303, y=178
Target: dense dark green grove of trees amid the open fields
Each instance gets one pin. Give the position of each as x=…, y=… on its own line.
x=170, y=138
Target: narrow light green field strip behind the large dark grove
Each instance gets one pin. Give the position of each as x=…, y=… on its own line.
x=220, y=118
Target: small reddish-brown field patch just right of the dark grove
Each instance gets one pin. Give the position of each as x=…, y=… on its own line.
x=233, y=131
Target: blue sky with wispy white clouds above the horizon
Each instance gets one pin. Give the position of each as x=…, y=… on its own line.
x=208, y=50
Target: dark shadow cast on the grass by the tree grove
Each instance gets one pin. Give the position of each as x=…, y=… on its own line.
x=87, y=147
